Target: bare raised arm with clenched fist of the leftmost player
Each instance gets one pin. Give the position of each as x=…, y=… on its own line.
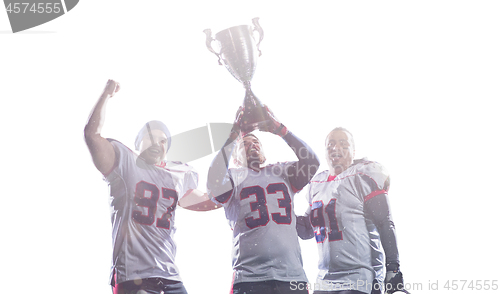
x=101, y=149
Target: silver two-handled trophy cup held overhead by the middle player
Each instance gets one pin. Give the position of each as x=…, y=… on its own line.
x=239, y=51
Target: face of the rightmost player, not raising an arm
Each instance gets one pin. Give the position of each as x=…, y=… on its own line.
x=339, y=151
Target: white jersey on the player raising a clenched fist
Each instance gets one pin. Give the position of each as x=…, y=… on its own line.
x=143, y=201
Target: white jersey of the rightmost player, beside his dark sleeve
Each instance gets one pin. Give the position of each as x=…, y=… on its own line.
x=348, y=244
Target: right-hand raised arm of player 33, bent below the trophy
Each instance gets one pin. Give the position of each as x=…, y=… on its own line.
x=302, y=171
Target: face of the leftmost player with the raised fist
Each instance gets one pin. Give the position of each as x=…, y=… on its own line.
x=154, y=147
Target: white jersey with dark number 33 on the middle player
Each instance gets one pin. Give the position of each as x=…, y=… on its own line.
x=260, y=213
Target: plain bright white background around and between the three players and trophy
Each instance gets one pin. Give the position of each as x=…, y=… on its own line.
x=416, y=82
